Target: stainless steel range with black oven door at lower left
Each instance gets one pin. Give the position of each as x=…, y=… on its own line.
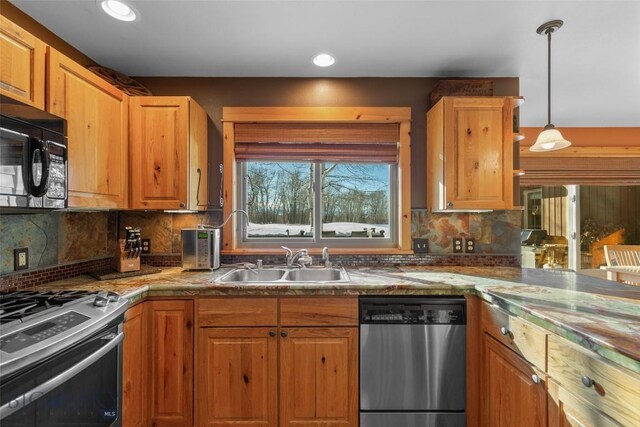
x=61, y=358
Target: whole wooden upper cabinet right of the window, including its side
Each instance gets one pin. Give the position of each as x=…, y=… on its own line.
x=470, y=153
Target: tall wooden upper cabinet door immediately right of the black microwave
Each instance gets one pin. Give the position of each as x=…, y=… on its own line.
x=97, y=129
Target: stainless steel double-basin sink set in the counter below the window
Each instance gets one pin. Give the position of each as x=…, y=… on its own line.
x=285, y=275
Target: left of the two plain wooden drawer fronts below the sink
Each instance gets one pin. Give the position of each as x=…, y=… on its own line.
x=229, y=311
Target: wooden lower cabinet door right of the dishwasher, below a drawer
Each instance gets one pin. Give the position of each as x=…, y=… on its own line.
x=510, y=394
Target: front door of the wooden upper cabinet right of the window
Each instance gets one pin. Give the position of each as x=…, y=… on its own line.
x=478, y=153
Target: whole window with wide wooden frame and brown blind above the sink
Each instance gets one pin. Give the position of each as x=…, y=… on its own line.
x=317, y=176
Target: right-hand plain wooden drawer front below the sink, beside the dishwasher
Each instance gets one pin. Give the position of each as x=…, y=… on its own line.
x=321, y=311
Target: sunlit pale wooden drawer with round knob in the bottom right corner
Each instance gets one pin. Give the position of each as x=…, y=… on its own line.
x=614, y=391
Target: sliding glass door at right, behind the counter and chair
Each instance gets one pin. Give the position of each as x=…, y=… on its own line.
x=596, y=215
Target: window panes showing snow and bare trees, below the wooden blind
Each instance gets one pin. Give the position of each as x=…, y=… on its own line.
x=318, y=204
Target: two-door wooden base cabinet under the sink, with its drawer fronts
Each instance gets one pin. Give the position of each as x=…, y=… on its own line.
x=293, y=368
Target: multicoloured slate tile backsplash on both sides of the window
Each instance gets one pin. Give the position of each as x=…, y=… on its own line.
x=64, y=238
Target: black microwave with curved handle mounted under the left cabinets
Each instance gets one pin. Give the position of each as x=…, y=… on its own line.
x=33, y=157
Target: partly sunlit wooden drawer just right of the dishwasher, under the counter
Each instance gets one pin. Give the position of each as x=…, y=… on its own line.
x=519, y=335
